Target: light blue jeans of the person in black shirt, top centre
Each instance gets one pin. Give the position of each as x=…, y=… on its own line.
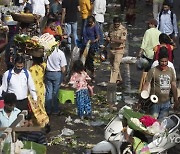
x=71, y=27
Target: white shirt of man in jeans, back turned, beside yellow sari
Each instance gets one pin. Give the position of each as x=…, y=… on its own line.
x=56, y=60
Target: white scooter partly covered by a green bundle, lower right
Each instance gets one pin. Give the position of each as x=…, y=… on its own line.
x=157, y=144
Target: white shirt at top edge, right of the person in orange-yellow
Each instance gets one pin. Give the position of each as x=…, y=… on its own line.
x=99, y=9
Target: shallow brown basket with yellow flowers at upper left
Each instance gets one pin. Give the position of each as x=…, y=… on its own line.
x=25, y=18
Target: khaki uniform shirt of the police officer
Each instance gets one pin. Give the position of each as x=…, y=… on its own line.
x=120, y=34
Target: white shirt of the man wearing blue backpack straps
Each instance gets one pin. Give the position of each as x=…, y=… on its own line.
x=19, y=85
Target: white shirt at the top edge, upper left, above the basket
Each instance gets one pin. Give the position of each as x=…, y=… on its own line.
x=39, y=6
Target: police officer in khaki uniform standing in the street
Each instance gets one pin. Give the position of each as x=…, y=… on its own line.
x=117, y=38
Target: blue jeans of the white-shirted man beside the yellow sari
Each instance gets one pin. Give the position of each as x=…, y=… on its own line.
x=52, y=83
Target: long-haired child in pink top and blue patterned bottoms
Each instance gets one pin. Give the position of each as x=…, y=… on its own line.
x=79, y=81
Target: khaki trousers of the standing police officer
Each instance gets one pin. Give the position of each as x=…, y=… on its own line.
x=115, y=57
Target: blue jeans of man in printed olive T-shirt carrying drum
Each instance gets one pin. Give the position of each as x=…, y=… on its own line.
x=161, y=110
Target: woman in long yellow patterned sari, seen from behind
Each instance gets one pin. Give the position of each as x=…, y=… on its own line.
x=37, y=72
